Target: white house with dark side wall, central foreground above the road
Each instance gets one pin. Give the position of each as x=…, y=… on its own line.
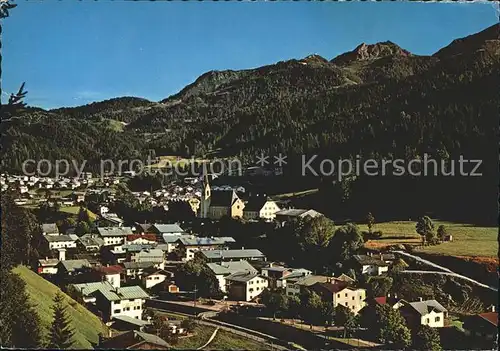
x=245, y=286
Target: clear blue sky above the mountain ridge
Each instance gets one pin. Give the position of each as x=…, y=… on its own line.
x=72, y=53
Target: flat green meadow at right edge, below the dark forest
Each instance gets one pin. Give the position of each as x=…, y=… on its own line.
x=468, y=240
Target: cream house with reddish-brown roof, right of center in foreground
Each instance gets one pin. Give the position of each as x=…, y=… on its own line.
x=339, y=293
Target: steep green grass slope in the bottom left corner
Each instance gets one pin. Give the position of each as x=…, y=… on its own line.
x=86, y=324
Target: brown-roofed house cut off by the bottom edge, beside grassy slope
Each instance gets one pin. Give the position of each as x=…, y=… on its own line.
x=133, y=340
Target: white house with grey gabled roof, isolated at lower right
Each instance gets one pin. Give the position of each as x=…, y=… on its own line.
x=429, y=312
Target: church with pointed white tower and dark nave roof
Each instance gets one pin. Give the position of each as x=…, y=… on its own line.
x=217, y=204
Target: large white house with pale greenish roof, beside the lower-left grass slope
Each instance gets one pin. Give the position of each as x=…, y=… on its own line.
x=123, y=301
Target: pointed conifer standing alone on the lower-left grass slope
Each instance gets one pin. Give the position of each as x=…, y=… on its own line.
x=61, y=333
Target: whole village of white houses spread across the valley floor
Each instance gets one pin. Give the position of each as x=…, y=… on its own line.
x=122, y=270
